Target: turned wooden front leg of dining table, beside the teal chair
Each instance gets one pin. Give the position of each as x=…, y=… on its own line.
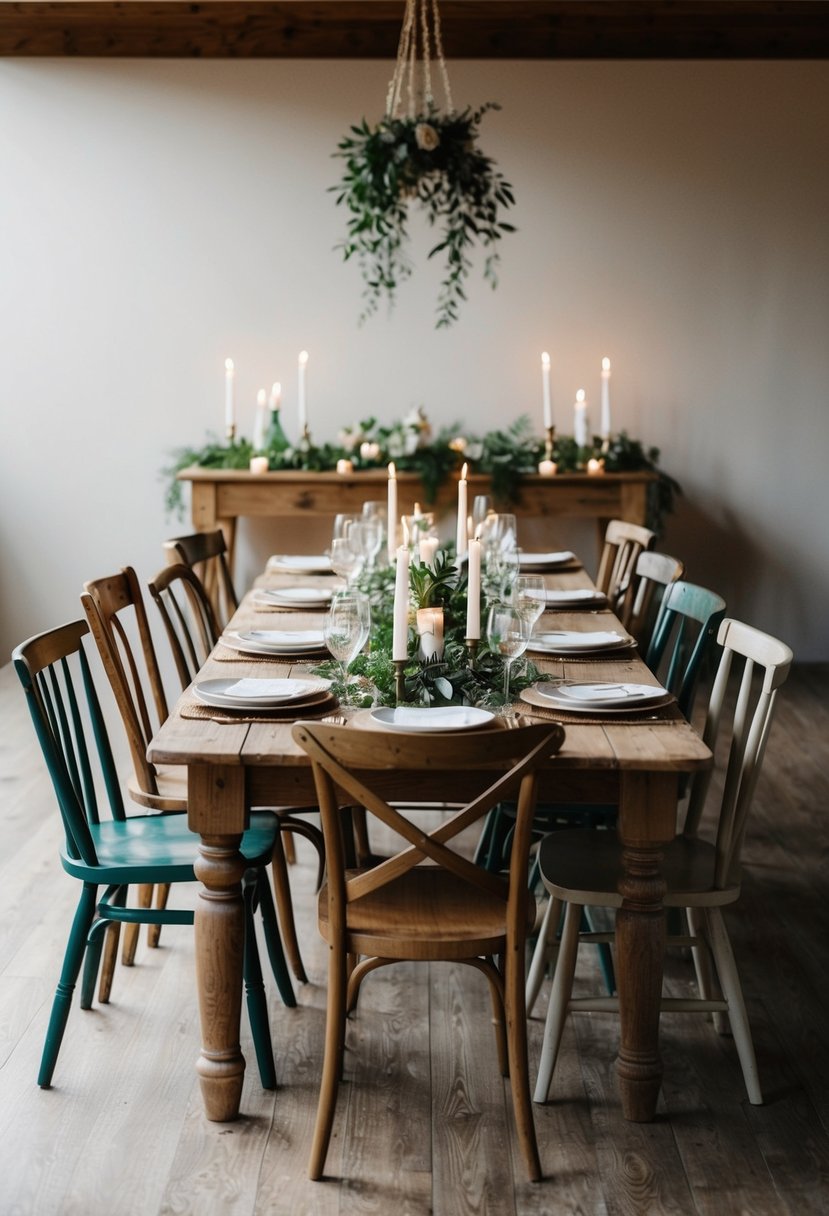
x=219, y=942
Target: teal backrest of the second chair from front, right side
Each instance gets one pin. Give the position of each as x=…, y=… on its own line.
x=684, y=635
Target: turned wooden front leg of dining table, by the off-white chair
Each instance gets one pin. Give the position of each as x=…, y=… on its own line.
x=647, y=821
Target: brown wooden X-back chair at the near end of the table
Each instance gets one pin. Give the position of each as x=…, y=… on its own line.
x=427, y=902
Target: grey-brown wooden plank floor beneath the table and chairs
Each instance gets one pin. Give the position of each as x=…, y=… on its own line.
x=424, y=1123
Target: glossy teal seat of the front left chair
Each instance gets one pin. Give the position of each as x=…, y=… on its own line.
x=162, y=847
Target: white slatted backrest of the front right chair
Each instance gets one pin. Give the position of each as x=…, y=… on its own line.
x=765, y=665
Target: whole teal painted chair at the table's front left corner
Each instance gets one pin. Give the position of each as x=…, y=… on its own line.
x=112, y=852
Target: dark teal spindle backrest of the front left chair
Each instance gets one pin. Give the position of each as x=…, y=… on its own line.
x=67, y=718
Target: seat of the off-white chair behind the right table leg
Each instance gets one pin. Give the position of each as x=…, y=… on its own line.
x=586, y=868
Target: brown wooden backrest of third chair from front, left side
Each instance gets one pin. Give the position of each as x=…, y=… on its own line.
x=189, y=618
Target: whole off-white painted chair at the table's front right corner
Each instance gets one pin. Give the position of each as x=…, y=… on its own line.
x=702, y=876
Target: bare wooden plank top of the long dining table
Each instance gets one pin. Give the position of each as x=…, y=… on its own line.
x=655, y=745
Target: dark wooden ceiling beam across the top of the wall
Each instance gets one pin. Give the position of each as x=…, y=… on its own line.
x=488, y=30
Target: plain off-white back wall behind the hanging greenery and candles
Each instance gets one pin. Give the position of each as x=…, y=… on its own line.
x=156, y=217
